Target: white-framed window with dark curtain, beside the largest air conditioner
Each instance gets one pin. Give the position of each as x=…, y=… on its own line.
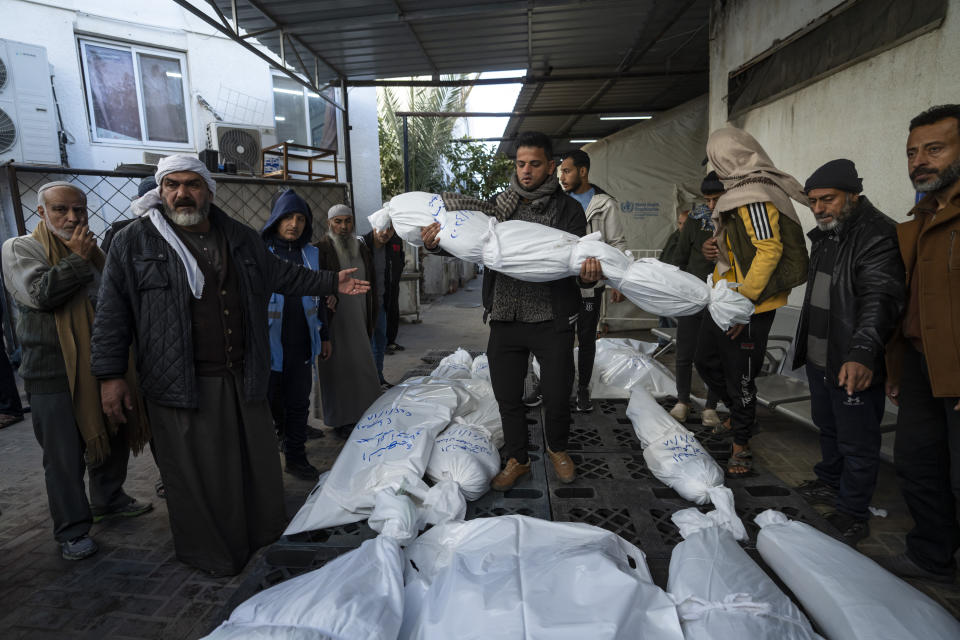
x=136, y=95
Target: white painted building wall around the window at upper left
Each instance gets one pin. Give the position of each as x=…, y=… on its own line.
x=214, y=63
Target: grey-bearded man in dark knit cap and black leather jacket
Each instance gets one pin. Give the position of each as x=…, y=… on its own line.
x=855, y=294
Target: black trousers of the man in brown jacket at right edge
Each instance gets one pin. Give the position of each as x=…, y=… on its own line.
x=927, y=457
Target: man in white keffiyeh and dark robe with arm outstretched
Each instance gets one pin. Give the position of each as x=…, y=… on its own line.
x=190, y=287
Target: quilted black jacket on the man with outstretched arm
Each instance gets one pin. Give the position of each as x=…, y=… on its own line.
x=144, y=297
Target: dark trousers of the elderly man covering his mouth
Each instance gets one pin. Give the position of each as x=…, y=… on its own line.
x=63, y=467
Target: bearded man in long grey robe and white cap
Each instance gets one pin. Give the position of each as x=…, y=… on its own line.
x=348, y=380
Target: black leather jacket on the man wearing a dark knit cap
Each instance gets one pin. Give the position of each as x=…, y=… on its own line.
x=867, y=291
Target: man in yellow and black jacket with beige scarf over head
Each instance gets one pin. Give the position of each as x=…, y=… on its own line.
x=759, y=246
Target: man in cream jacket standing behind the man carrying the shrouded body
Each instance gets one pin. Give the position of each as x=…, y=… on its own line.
x=602, y=214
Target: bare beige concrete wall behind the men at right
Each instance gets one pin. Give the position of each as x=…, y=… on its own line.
x=860, y=113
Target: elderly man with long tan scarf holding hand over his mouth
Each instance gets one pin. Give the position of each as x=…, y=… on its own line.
x=53, y=275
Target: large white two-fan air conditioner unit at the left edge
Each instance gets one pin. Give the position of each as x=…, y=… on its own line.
x=28, y=126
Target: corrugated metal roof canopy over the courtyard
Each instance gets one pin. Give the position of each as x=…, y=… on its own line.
x=376, y=39
